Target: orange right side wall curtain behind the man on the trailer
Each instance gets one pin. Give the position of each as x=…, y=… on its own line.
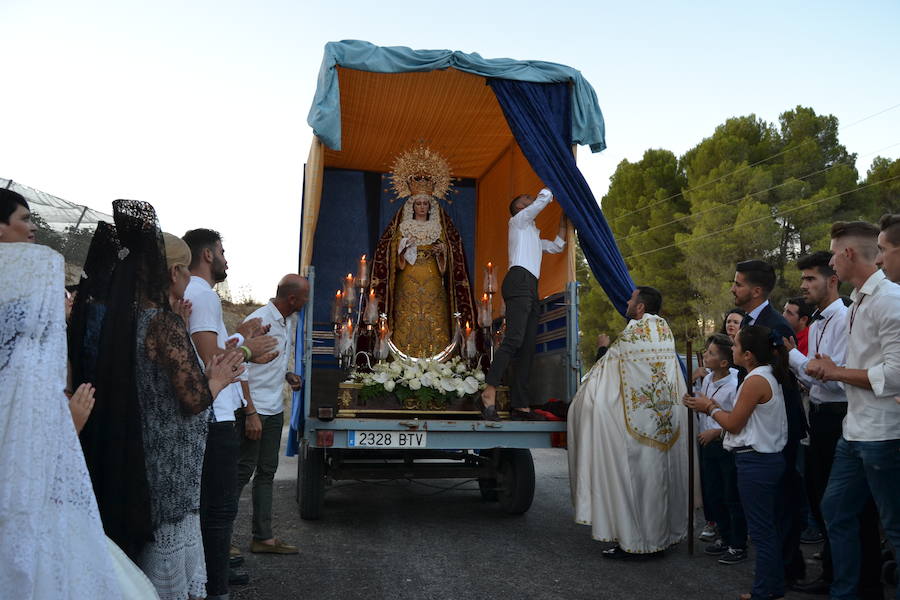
x=508, y=177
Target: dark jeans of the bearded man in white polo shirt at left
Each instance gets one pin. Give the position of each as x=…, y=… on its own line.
x=218, y=503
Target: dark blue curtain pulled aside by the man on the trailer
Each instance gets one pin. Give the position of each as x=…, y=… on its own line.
x=538, y=115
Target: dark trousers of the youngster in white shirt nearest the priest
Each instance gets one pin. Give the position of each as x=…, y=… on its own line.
x=718, y=480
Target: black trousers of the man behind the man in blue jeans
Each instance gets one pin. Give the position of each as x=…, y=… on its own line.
x=825, y=428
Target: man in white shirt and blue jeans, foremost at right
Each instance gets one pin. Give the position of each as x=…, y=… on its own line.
x=867, y=456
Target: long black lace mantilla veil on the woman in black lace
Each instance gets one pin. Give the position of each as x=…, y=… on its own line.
x=112, y=439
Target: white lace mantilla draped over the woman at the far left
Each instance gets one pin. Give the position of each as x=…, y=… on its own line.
x=51, y=540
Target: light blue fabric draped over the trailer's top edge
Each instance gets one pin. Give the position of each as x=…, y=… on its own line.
x=587, y=127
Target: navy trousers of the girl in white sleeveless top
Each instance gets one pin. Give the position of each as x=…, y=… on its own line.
x=759, y=478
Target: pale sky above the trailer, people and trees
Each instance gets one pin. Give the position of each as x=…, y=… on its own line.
x=200, y=107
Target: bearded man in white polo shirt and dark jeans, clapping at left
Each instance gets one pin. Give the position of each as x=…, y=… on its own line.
x=218, y=486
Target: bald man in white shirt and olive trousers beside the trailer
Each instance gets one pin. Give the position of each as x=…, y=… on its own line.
x=265, y=387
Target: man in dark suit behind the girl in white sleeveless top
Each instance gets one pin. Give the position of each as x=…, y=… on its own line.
x=754, y=280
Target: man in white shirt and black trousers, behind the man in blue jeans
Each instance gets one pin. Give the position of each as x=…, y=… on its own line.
x=827, y=408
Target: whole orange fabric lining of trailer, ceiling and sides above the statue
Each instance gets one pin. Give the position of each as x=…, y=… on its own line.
x=455, y=113
